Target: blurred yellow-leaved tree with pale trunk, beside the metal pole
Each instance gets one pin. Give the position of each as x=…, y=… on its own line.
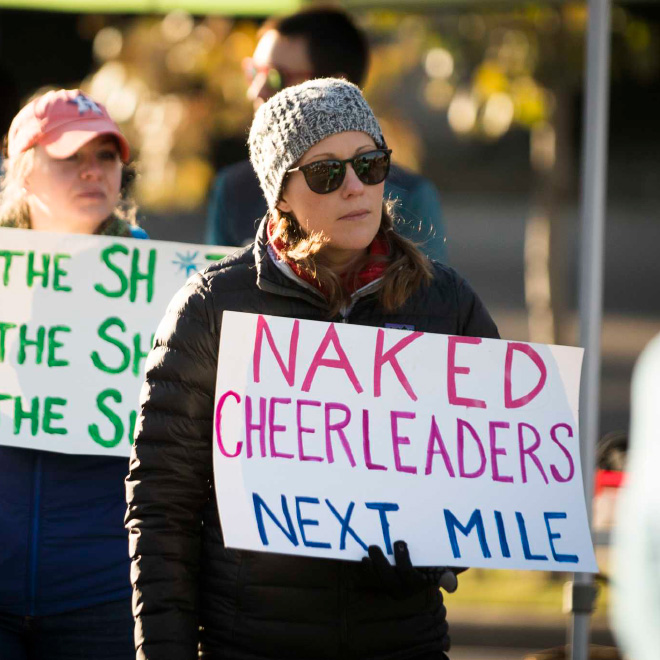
x=491, y=72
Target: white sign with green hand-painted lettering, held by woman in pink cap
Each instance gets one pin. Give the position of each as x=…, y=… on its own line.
x=77, y=316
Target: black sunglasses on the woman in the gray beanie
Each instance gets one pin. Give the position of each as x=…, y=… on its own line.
x=325, y=176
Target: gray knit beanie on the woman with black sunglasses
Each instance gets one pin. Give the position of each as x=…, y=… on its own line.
x=296, y=118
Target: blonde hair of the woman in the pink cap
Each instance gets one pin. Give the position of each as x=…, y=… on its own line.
x=14, y=211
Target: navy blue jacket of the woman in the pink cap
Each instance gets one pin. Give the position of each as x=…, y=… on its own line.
x=62, y=539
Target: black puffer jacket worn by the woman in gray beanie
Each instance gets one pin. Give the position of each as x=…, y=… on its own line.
x=239, y=605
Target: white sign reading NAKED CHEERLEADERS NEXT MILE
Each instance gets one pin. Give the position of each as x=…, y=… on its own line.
x=333, y=437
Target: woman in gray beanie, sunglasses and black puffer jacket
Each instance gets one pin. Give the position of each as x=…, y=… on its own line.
x=326, y=251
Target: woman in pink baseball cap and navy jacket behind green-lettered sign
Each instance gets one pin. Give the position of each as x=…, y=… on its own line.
x=64, y=570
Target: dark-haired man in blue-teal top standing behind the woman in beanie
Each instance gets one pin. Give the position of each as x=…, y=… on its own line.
x=314, y=43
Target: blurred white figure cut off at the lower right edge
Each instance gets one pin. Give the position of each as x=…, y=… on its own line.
x=635, y=611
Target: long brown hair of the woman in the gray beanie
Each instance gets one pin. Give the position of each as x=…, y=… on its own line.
x=407, y=267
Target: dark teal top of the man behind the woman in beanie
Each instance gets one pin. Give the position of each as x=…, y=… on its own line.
x=236, y=204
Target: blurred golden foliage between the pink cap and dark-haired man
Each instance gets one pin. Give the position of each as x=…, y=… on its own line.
x=174, y=83
